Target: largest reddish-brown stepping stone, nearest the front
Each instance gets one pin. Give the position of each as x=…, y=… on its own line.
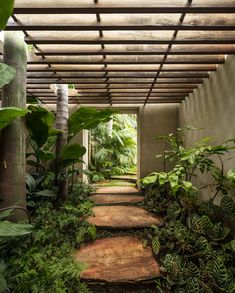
x=118, y=260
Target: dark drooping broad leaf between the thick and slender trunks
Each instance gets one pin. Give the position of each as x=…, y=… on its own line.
x=38, y=122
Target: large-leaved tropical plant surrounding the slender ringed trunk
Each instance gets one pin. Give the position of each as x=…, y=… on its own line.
x=42, y=140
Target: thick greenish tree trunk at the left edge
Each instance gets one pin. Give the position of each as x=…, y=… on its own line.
x=12, y=138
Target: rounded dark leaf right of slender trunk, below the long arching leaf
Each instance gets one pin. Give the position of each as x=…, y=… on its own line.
x=72, y=153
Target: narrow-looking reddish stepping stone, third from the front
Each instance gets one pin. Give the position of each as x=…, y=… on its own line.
x=115, y=198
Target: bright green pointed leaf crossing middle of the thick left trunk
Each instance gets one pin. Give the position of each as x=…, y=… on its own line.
x=8, y=114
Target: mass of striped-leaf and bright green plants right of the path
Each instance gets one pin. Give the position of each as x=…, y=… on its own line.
x=195, y=248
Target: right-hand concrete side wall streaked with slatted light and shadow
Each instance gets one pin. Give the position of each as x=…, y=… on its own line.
x=212, y=107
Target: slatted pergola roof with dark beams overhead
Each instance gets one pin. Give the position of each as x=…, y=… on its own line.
x=124, y=52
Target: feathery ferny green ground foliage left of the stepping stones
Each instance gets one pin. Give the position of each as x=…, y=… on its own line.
x=46, y=261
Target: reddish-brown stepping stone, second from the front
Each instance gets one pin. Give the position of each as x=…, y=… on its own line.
x=123, y=217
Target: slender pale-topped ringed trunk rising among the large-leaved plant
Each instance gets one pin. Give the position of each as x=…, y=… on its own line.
x=62, y=115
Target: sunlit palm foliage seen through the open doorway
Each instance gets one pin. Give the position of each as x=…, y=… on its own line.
x=113, y=147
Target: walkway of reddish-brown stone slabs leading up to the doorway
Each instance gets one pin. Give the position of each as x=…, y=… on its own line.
x=119, y=259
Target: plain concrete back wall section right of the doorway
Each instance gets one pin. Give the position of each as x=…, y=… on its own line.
x=159, y=119
